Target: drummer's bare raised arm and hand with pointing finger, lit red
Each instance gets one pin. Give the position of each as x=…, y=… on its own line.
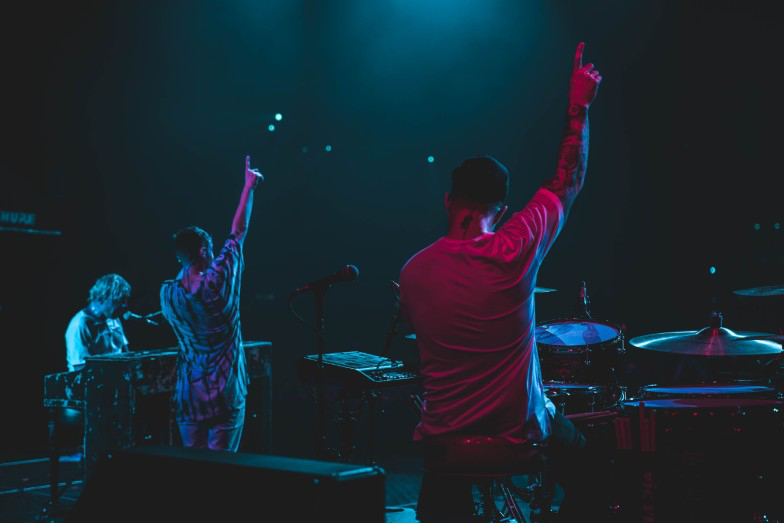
x=573, y=152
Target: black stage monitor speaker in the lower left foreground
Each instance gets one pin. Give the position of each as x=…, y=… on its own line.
x=177, y=484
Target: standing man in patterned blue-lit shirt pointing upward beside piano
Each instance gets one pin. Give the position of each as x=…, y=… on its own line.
x=203, y=307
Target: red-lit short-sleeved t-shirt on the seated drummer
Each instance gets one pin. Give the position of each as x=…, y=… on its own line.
x=471, y=305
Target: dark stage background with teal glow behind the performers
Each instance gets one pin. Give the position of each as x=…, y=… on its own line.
x=124, y=122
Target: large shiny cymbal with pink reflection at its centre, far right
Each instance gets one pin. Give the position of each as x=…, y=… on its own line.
x=710, y=341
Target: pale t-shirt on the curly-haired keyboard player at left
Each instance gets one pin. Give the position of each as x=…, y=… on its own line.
x=88, y=336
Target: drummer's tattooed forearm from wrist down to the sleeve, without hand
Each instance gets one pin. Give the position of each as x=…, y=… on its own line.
x=572, y=157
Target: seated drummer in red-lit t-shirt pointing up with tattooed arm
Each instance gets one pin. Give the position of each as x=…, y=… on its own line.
x=469, y=297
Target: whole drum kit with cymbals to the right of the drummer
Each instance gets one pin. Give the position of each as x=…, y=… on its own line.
x=712, y=439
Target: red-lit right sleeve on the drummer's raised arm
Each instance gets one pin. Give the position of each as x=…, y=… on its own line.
x=536, y=226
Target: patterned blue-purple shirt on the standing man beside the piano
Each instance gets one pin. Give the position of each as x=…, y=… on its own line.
x=212, y=376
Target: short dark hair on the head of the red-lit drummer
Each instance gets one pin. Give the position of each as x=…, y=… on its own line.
x=480, y=180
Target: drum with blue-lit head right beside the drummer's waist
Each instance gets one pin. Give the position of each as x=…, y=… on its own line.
x=579, y=350
